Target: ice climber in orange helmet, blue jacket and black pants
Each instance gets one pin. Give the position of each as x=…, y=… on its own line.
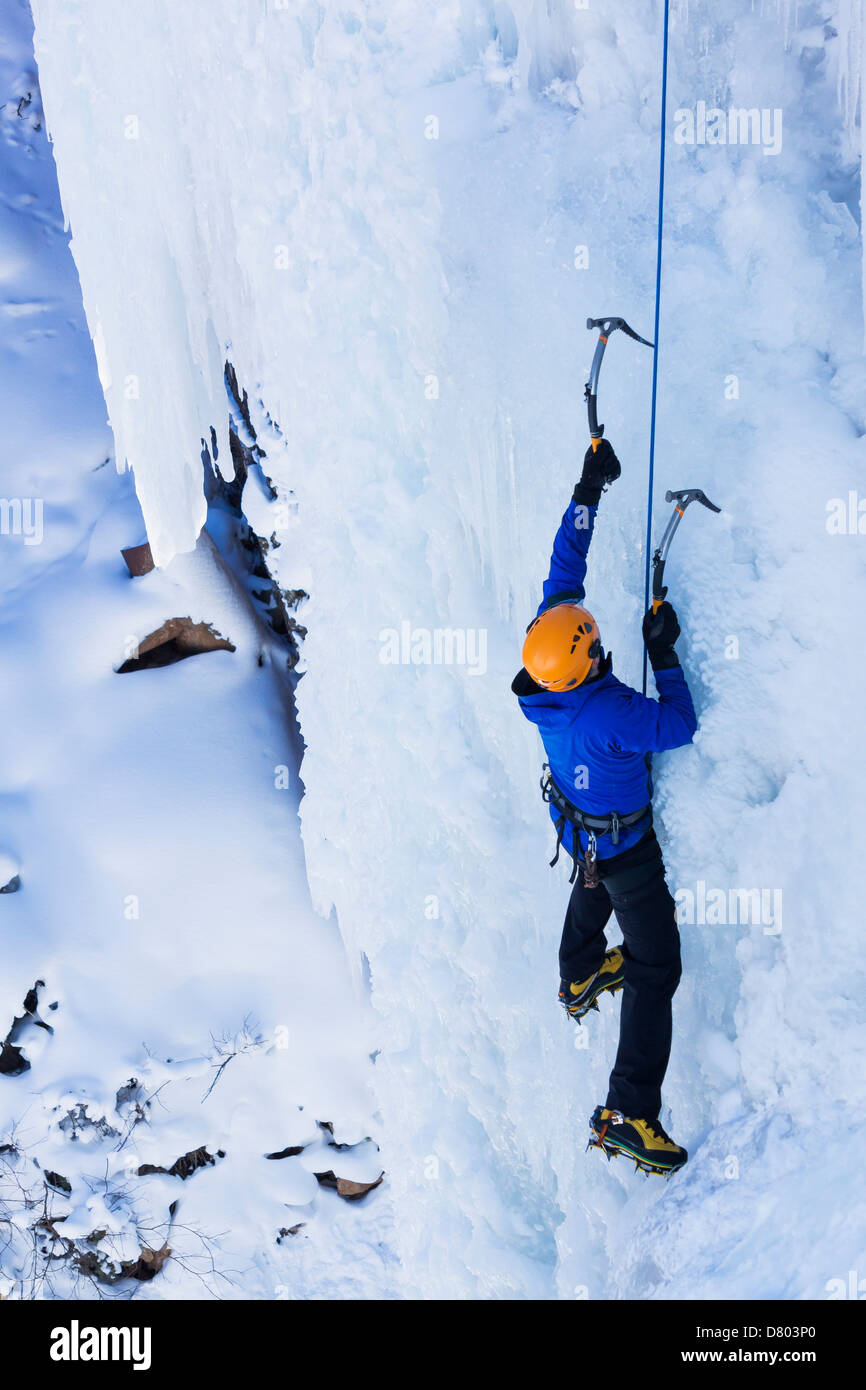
x=598, y=737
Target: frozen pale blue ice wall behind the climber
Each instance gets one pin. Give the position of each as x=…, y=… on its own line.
x=395, y=223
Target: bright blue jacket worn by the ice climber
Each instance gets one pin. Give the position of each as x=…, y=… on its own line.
x=600, y=736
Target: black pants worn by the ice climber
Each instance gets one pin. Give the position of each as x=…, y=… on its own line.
x=633, y=888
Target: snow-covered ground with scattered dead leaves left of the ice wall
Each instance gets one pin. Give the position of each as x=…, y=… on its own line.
x=154, y=822
